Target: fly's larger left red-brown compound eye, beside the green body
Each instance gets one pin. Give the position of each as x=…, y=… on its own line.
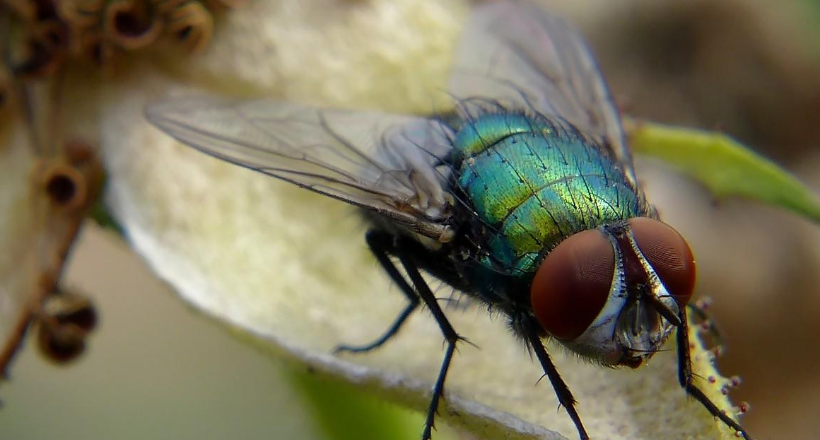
x=572, y=285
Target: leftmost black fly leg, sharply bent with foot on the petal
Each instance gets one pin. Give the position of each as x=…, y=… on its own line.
x=381, y=245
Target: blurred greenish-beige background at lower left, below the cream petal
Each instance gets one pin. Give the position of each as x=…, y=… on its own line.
x=154, y=369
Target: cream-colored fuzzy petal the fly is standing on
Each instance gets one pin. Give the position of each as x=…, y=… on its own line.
x=291, y=269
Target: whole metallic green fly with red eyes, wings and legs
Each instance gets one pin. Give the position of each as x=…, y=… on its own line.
x=524, y=198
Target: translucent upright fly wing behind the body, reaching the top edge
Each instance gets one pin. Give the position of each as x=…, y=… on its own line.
x=519, y=55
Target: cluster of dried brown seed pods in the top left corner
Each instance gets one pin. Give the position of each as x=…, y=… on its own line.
x=100, y=29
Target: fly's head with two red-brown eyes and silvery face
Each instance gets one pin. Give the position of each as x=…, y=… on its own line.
x=614, y=294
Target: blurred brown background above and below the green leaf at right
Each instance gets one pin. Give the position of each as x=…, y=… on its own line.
x=750, y=69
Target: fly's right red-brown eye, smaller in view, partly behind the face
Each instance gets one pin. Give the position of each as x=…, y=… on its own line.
x=668, y=254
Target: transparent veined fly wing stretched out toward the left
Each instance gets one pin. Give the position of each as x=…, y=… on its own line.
x=392, y=165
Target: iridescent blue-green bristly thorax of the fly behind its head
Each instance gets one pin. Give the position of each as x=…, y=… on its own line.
x=534, y=183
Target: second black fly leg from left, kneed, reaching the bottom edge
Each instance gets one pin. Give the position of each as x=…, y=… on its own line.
x=450, y=335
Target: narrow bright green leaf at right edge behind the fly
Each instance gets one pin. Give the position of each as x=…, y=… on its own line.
x=725, y=166
